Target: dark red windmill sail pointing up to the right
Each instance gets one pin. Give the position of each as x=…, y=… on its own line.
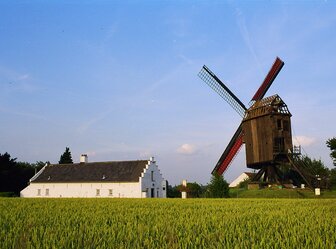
x=272, y=74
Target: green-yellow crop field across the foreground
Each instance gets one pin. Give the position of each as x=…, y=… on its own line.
x=167, y=223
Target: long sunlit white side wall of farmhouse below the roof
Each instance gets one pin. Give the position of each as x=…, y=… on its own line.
x=92, y=190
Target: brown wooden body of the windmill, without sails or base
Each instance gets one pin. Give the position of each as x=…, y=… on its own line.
x=267, y=132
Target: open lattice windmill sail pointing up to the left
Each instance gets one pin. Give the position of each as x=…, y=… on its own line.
x=215, y=83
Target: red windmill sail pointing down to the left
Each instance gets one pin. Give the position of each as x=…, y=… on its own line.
x=230, y=152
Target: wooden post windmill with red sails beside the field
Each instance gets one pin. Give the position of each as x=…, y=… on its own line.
x=265, y=130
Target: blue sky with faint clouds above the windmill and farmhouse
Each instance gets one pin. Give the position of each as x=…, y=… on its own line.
x=118, y=80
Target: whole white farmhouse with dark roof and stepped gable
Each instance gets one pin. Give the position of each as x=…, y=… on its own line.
x=119, y=179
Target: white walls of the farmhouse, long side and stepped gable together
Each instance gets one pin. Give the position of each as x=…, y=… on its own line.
x=151, y=184
